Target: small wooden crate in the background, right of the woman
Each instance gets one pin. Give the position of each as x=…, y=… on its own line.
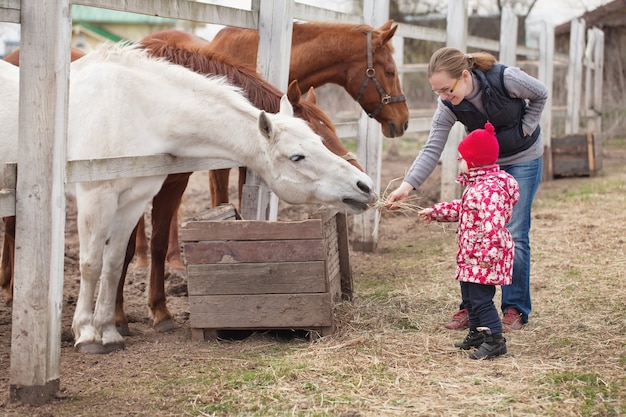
x=573, y=155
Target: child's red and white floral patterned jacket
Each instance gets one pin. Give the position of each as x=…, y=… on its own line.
x=485, y=253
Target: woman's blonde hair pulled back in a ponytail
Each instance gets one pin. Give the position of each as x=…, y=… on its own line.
x=454, y=62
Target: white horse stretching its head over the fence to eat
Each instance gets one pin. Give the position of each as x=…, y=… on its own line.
x=124, y=103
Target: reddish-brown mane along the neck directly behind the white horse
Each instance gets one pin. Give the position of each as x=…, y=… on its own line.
x=261, y=93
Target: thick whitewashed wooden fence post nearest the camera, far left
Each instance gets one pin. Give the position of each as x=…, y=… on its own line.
x=40, y=201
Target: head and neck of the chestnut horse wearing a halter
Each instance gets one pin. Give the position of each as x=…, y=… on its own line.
x=357, y=57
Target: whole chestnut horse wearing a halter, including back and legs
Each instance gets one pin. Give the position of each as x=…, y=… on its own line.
x=357, y=57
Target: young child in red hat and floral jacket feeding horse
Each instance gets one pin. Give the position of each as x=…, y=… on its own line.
x=486, y=248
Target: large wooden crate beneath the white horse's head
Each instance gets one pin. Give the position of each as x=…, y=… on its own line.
x=247, y=275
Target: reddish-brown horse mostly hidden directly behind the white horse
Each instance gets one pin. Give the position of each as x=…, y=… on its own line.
x=166, y=203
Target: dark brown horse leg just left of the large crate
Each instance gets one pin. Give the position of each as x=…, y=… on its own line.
x=165, y=205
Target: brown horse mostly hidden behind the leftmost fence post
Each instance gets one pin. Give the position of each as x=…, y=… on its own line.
x=8, y=244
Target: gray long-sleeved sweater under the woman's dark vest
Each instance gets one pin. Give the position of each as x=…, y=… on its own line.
x=519, y=85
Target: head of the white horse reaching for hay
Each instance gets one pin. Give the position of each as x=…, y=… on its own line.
x=301, y=170
